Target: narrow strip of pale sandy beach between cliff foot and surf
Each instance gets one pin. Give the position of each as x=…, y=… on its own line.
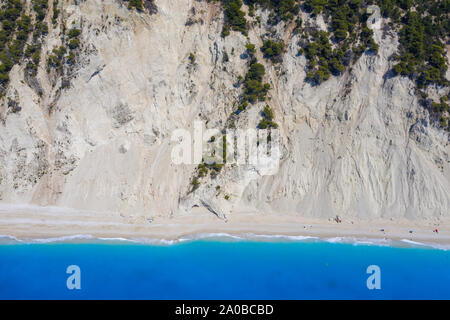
x=28, y=223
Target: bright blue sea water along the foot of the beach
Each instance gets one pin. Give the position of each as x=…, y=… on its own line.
x=222, y=270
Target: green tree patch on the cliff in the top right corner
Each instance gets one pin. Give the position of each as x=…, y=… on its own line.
x=424, y=28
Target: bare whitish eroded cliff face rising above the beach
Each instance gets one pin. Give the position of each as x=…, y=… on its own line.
x=99, y=137
